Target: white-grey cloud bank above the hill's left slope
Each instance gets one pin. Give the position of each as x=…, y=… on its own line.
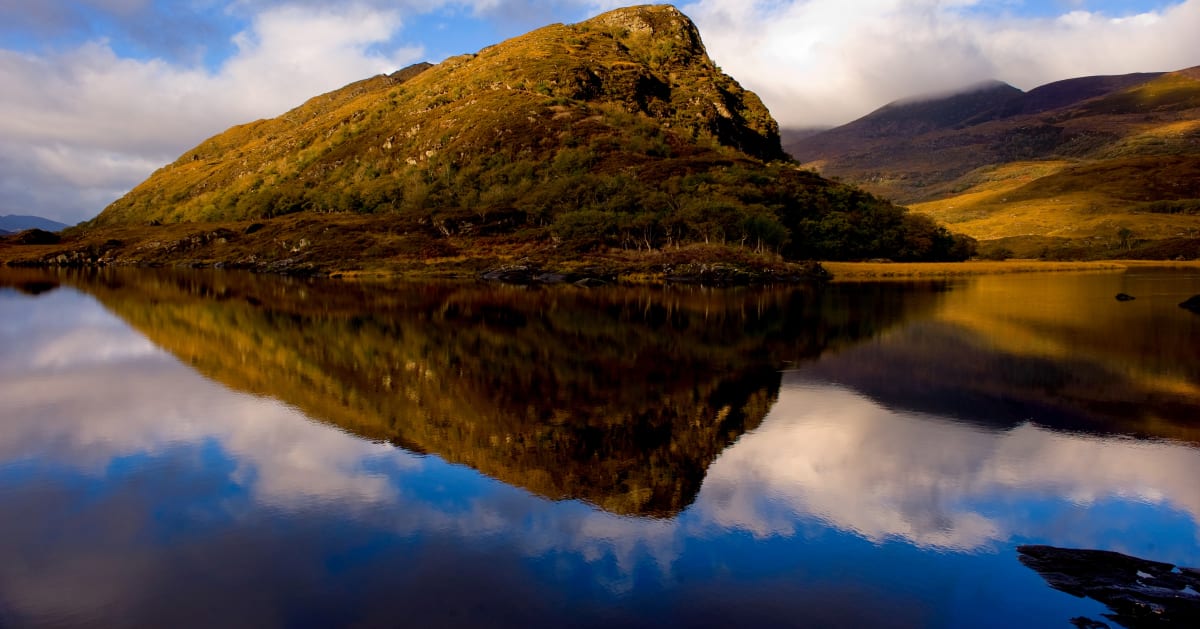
x=82, y=127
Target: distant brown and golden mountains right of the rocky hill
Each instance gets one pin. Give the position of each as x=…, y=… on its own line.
x=1085, y=167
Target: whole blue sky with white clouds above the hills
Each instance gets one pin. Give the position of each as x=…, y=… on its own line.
x=95, y=95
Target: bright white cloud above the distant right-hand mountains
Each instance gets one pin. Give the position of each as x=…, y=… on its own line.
x=830, y=62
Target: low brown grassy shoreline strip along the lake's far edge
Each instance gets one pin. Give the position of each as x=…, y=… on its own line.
x=367, y=248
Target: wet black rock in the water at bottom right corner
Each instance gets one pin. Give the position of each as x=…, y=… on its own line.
x=1139, y=592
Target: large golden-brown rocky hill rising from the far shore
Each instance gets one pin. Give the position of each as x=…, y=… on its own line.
x=615, y=134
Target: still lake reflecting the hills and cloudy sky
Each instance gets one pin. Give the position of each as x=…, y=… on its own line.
x=207, y=450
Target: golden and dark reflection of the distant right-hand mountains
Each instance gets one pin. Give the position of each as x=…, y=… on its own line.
x=1058, y=351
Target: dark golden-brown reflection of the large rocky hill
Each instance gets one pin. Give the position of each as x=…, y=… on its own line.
x=620, y=398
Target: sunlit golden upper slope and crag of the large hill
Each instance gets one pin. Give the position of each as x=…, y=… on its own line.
x=625, y=88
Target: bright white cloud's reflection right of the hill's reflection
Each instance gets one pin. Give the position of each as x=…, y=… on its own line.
x=832, y=454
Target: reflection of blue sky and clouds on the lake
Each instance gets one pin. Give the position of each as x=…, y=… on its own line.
x=134, y=492
